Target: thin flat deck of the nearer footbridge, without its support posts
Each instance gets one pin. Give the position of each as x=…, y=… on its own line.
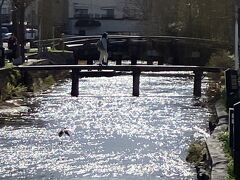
x=143, y=68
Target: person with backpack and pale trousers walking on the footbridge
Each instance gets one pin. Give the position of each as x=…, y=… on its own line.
x=102, y=48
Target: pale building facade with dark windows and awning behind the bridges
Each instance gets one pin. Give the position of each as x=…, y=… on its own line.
x=91, y=17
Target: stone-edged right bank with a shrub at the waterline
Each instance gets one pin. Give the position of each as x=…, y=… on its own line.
x=208, y=155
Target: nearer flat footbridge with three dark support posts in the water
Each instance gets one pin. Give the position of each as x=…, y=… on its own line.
x=134, y=69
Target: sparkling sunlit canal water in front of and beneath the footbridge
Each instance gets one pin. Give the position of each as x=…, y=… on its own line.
x=114, y=135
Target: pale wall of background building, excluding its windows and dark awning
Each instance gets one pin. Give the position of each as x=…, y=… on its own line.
x=118, y=24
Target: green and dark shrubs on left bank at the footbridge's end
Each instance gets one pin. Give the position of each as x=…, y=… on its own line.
x=15, y=85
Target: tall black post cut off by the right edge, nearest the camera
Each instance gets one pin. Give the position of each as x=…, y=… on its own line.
x=236, y=141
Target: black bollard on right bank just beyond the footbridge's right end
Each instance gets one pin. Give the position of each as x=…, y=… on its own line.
x=231, y=82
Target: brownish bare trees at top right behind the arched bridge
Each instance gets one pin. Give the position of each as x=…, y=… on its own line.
x=211, y=19
